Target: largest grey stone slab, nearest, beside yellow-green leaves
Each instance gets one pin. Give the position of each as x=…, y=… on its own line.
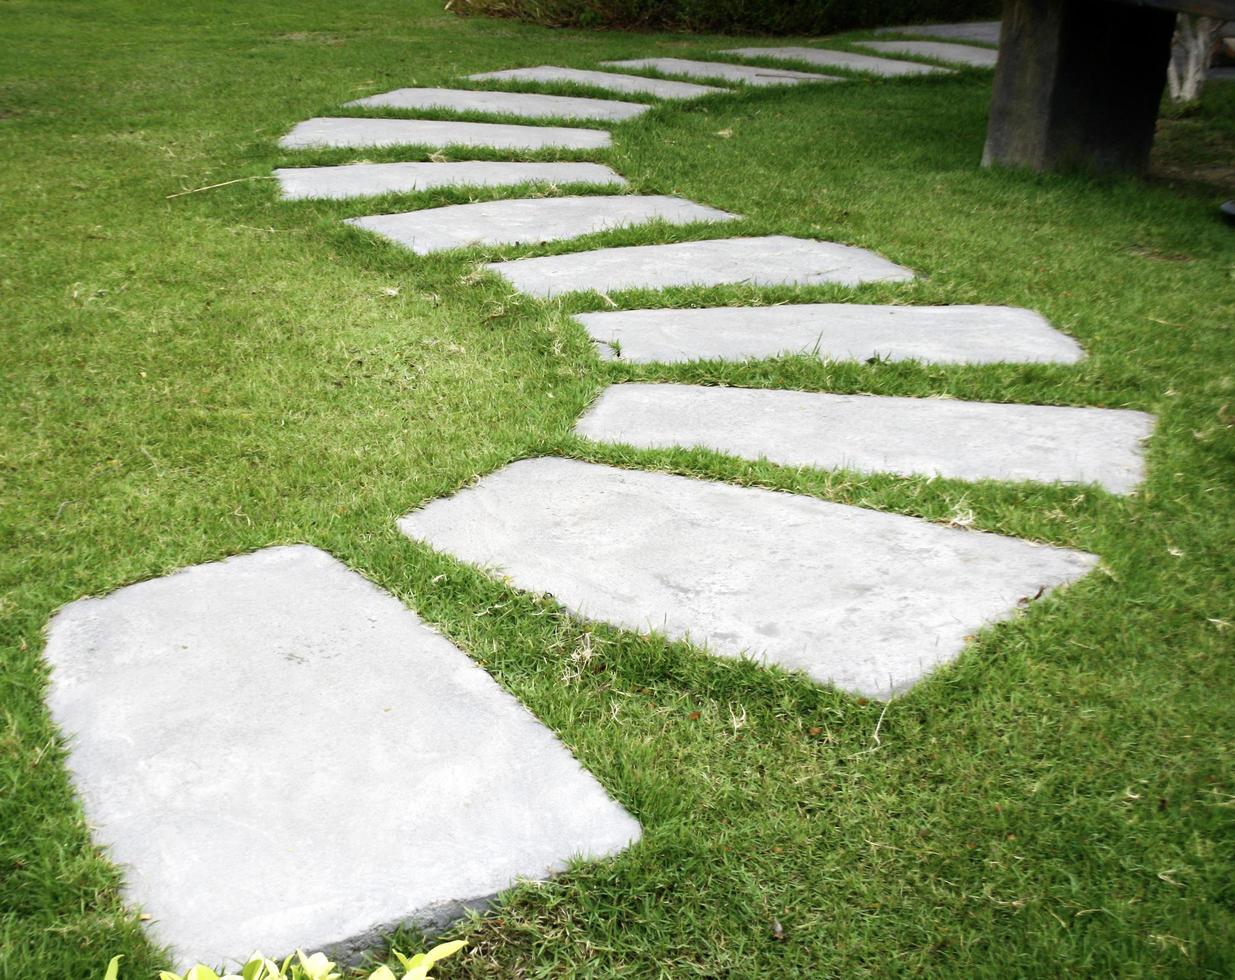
x=281, y=756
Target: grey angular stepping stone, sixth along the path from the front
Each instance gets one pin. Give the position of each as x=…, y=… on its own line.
x=530, y=220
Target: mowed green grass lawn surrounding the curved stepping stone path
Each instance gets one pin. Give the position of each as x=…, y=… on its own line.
x=196, y=377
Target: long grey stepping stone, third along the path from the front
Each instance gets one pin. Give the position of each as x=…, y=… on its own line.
x=873, y=434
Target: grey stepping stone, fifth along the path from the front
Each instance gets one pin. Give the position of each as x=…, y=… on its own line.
x=772, y=261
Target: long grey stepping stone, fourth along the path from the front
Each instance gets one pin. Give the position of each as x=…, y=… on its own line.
x=837, y=331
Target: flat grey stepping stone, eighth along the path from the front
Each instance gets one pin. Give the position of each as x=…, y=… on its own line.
x=355, y=133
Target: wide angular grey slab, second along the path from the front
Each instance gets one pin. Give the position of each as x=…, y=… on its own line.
x=865, y=600
